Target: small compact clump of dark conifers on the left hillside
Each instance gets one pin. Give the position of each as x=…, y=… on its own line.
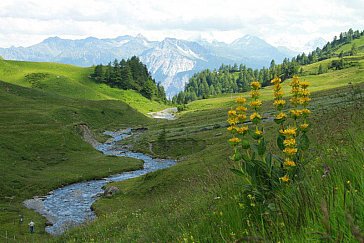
x=130, y=74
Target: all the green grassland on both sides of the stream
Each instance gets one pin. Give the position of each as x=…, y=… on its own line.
x=197, y=200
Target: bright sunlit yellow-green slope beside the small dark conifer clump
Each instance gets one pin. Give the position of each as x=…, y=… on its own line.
x=70, y=81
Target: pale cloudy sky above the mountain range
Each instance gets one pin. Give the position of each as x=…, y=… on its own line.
x=289, y=23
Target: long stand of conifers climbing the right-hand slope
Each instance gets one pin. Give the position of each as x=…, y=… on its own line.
x=234, y=78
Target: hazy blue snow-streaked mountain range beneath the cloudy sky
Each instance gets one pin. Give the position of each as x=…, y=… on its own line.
x=170, y=61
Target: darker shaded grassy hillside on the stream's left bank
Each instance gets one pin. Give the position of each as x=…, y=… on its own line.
x=41, y=148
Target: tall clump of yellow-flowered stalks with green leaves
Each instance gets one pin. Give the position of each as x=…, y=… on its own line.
x=262, y=170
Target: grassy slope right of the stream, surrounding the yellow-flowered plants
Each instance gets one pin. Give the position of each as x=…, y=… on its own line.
x=197, y=200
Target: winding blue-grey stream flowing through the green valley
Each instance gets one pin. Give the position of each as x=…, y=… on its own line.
x=70, y=206
